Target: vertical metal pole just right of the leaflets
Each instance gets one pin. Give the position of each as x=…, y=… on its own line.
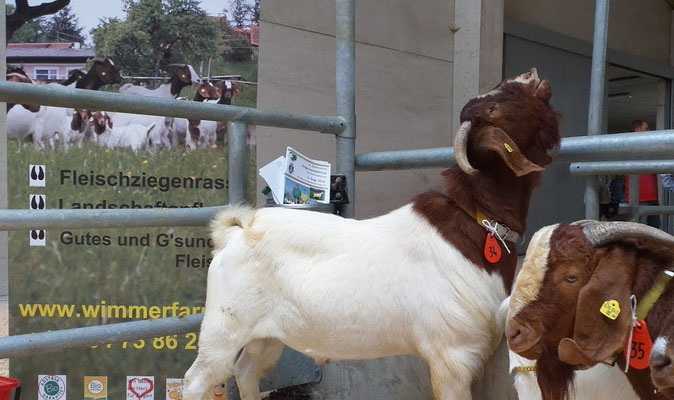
x=346, y=98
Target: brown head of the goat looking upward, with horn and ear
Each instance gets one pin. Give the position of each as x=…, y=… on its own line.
x=514, y=124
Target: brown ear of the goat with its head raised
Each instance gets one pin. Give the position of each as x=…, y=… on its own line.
x=493, y=139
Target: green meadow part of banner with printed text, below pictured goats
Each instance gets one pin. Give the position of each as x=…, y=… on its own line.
x=71, y=278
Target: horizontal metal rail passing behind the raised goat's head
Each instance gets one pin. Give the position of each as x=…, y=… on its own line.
x=616, y=147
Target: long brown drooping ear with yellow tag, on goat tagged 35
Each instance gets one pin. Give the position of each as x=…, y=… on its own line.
x=597, y=337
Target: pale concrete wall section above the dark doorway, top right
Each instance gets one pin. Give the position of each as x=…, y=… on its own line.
x=641, y=28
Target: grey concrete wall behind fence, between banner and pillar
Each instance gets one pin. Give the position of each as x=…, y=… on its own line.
x=404, y=67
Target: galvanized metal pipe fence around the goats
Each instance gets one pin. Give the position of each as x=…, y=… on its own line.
x=585, y=153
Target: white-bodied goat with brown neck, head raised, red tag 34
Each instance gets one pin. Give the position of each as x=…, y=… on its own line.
x=413, y=281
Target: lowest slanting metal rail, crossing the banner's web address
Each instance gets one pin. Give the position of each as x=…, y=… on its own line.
x=54, y=341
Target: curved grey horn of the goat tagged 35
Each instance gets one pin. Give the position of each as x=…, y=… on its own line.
x=600, y=233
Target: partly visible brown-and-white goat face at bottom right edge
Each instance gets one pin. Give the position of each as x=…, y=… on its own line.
x=662, y=355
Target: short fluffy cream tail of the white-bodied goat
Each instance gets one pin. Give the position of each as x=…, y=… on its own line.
x=233, y=218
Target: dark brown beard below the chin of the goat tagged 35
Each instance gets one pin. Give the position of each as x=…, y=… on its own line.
x=555, y=378
